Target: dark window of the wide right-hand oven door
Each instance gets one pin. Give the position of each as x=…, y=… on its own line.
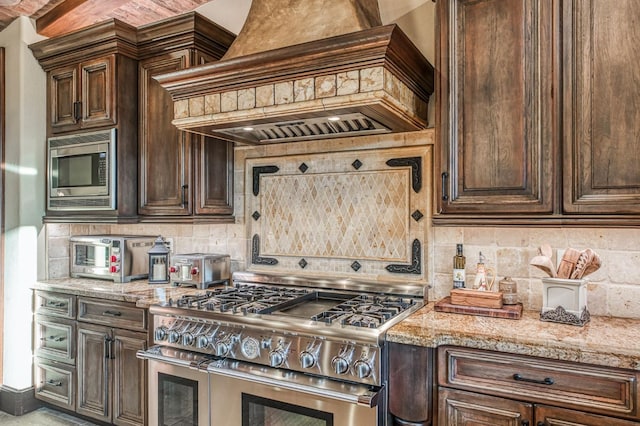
x=257, y=411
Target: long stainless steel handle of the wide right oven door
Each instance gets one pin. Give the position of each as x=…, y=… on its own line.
x=356, y=394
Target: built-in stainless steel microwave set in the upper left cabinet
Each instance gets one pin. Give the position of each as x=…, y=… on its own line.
x=82, y=171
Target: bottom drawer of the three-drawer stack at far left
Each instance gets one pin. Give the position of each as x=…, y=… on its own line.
x=55, y=383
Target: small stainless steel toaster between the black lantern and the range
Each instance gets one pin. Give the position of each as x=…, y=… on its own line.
x=201, y=270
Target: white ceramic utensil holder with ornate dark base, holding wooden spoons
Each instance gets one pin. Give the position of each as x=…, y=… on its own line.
x=564, y=301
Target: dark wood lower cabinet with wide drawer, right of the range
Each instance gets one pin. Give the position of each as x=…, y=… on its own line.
x=506, y=389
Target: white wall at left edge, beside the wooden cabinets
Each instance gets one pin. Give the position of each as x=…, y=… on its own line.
x=25, y=137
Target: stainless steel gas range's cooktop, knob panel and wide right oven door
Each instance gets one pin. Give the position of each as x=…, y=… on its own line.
x=280, y=347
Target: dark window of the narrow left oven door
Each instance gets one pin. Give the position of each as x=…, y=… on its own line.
x=177, y=401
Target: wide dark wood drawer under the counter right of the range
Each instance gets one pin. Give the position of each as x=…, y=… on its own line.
x=591, y=388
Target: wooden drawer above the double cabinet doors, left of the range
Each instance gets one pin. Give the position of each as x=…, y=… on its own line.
x=112, y=314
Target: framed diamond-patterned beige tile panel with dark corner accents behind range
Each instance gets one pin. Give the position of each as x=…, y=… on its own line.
x=356, y=213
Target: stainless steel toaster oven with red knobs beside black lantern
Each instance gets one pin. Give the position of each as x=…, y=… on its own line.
x=120, y=258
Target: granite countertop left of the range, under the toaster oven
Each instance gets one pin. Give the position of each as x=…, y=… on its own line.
x=139, y=292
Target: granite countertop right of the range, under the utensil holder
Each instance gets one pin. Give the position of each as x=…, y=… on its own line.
x=607, y=341
